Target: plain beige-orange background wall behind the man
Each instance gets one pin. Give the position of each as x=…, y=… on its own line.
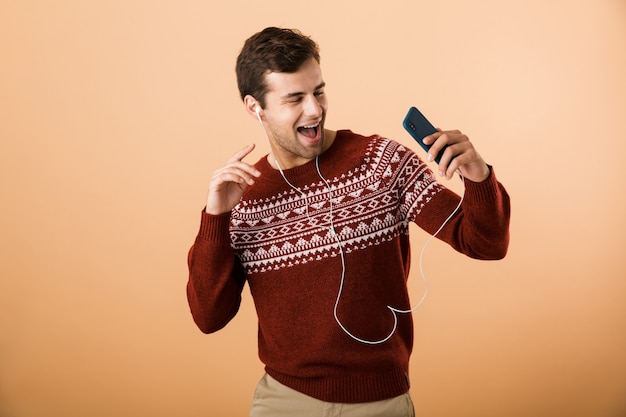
x=114, y=114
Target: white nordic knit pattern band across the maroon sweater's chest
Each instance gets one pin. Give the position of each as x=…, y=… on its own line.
x=370, y=204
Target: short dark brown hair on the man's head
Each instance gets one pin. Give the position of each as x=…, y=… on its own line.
x=271, y=50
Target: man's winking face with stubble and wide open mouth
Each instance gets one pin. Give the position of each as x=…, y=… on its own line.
x=295, y=110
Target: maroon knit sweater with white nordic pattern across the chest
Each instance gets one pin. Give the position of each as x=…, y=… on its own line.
x=279, y=243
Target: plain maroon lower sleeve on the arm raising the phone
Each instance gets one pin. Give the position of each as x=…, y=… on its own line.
x=480, y=229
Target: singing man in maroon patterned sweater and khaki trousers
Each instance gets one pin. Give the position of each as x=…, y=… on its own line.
x=319, y=230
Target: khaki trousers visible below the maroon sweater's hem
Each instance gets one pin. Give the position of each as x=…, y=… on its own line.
x=273, y=399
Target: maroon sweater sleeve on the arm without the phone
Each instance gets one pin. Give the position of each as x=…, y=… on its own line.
x=216, y=277
